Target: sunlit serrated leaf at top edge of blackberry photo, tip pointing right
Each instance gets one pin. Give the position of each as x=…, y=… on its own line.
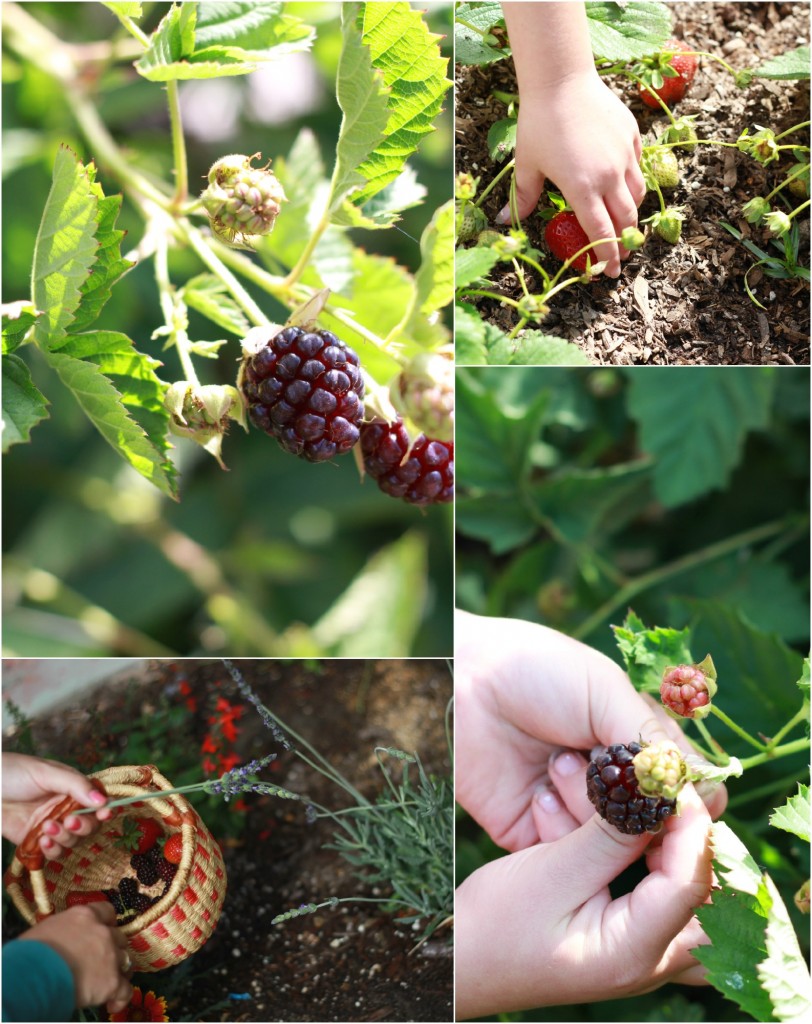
x=251, y=31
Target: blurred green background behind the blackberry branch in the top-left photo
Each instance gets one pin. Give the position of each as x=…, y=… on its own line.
x=97, y=562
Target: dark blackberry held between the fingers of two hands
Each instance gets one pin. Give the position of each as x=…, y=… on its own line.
x=612, y=787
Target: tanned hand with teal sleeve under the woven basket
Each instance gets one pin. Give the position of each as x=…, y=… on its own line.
x=96, y=951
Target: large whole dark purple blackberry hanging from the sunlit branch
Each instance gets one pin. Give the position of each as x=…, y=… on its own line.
x=306, y=390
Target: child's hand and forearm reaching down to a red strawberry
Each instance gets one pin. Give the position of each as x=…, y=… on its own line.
x=572, y=127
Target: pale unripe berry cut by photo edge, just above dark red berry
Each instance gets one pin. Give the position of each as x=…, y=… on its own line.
x=424, y=393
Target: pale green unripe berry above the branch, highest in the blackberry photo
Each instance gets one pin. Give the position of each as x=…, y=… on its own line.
x=242, y=201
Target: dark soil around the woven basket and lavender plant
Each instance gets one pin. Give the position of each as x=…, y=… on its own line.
x=355, y=963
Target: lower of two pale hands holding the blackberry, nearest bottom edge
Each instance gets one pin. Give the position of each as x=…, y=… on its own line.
x=540, y=928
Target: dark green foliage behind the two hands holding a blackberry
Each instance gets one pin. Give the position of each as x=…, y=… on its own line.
x=683, y=494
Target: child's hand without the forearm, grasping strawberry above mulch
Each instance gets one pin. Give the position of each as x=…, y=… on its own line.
x=579, y=135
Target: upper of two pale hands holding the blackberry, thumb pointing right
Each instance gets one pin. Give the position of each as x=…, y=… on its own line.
x=524, y=694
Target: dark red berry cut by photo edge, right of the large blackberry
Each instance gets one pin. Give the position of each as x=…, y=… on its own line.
x=426, y=478
